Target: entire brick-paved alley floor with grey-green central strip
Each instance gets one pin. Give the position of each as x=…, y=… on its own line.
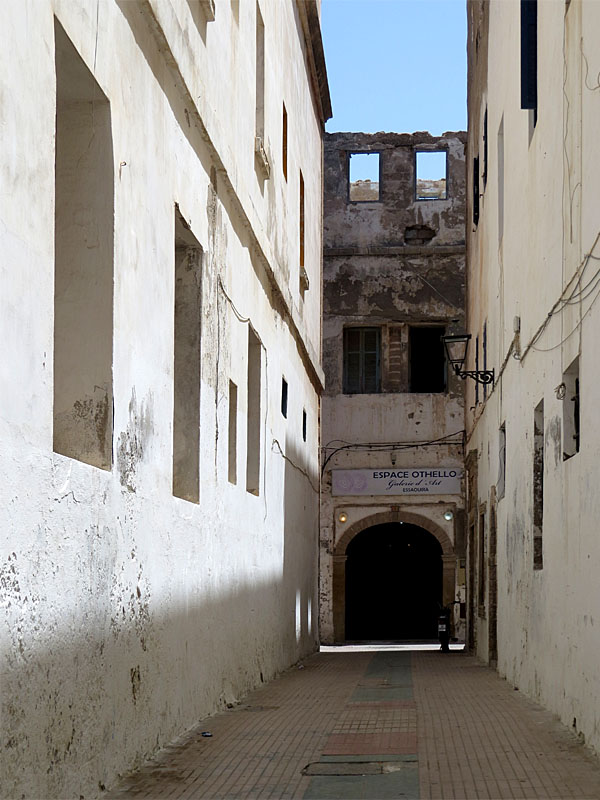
x=371, y=725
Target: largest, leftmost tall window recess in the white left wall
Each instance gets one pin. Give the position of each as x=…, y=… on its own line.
x=84, y=262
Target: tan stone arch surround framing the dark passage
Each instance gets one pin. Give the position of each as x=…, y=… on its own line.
x=339, y=560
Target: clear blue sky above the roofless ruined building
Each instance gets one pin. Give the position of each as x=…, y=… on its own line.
x=396, y=65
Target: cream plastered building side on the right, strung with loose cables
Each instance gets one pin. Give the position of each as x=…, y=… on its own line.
x=532, y=248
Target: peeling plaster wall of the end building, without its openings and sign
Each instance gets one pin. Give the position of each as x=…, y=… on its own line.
x=389, y=264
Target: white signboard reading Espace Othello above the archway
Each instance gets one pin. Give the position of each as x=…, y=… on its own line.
x=397, y=480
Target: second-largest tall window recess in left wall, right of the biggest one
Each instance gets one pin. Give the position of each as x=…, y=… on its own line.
x=186, y=372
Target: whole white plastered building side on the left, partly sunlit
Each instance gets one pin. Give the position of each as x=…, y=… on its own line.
x=160, y=297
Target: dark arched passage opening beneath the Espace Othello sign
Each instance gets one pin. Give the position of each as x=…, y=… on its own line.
x=393, y=583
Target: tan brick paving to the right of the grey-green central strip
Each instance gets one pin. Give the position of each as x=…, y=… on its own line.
x=481, y=740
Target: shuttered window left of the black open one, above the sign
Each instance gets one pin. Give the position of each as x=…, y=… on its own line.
x=362, y=355
